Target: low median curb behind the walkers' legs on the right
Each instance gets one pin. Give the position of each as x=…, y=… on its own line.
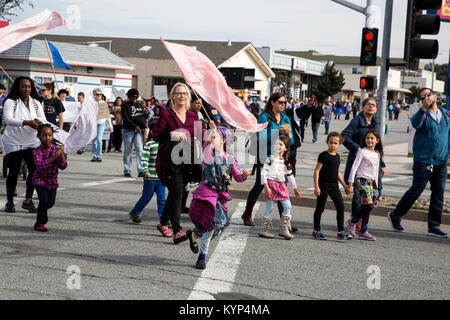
x=413, y=214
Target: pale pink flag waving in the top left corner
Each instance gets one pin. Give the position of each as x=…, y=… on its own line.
x=28, y=28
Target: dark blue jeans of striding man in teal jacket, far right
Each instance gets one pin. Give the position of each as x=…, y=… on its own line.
x=421, y=175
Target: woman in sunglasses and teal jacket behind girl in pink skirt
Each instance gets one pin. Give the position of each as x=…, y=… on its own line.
x=277, y=120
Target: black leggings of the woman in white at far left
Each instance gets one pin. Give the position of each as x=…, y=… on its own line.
x=14, y=160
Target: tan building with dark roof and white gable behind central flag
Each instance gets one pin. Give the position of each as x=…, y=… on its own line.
x=156, y=72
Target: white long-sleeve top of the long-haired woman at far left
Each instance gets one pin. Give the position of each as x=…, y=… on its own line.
x=17, y=136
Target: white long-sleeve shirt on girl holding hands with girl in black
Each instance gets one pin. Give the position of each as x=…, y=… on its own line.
x=366, y=165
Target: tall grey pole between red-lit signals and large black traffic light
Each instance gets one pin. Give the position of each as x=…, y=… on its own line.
x=380, y=116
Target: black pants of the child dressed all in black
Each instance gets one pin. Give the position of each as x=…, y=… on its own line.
x=333, y=191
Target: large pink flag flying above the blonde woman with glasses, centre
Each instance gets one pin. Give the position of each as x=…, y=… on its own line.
x=204, y=77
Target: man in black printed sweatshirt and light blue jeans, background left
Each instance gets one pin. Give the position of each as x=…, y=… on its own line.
x=134, y=122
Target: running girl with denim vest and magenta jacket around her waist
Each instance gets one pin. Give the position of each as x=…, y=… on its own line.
x=208, y=210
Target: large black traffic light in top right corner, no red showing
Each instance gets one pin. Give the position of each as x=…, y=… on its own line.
x=418, y=24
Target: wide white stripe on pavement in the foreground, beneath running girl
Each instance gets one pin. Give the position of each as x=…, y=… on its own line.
x=223, y=264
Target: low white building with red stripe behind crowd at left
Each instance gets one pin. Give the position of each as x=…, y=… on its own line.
x=91, y=67
